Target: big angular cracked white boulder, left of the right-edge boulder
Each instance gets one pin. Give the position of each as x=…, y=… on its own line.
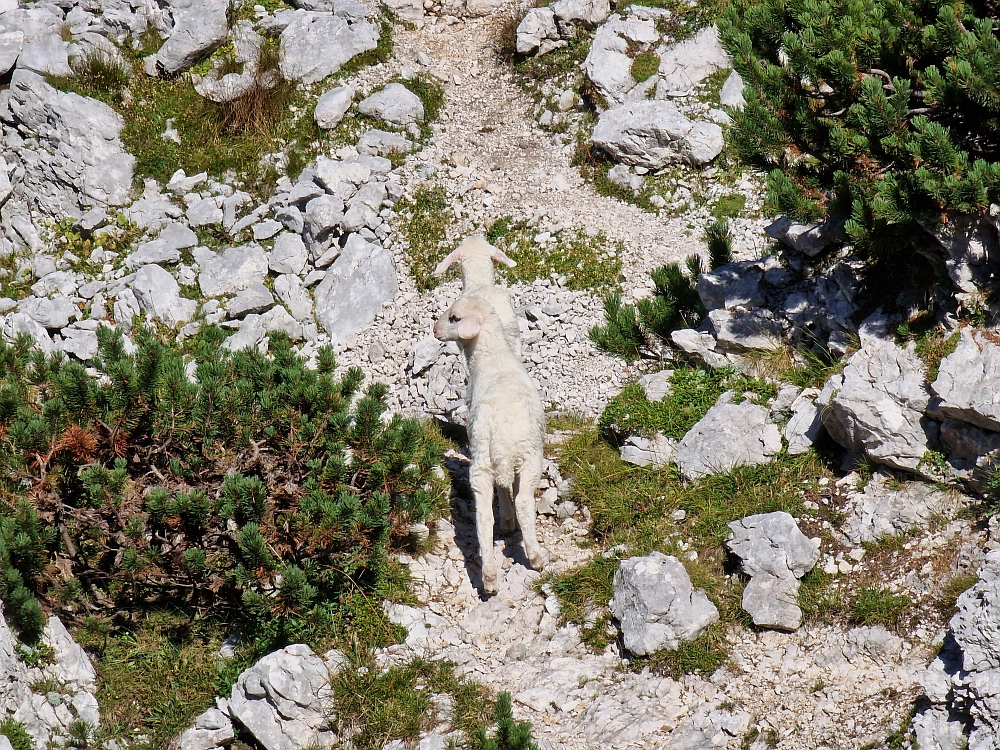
x=876, y=405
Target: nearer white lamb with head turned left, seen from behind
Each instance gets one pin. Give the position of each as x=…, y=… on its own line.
x=506, y=429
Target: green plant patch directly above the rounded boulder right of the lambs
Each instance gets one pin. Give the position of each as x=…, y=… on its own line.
x=693, y=393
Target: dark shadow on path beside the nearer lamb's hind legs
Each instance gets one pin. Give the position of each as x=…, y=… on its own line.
x=463, y=519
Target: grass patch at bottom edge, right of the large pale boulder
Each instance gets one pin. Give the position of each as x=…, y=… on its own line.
x=377, y=707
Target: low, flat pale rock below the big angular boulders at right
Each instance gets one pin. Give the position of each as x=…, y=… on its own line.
x=882, y=509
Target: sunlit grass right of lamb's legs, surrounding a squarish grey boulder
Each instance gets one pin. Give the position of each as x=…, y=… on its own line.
x=632, y=506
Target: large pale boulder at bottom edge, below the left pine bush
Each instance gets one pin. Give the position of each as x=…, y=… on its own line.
x=281, y=700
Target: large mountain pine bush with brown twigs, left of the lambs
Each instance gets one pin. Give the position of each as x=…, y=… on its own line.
x=243, y=486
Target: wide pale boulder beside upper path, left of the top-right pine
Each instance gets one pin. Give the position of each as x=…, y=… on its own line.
x=653, y=134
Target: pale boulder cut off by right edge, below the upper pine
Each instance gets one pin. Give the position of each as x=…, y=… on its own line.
x=968, y=381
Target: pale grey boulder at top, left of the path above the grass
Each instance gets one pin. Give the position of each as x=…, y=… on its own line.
x=316, y=45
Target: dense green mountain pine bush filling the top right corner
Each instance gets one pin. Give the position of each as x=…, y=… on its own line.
x=883, y=114
